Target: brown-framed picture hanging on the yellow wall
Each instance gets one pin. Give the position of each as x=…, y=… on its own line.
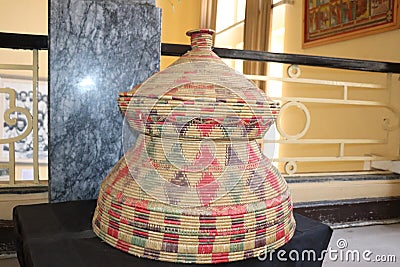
x=327, y=21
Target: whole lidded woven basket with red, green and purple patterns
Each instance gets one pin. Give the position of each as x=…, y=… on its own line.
x=195, y=186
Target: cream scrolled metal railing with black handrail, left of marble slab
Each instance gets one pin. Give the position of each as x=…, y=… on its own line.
x=13, y=113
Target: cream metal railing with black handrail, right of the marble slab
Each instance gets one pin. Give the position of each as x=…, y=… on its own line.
x=293, y=78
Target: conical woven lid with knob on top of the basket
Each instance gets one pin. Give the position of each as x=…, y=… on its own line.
x=199, y=86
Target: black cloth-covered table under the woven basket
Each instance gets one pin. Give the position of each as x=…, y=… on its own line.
x=50, y=235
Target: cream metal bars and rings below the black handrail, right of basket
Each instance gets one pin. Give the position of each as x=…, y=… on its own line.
x=300, y=103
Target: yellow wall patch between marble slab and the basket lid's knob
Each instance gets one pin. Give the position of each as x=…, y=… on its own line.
x=184, y=15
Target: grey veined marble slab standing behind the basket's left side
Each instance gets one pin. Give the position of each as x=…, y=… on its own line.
x=97, y=49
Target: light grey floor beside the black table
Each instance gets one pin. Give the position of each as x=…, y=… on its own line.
x=367, y=242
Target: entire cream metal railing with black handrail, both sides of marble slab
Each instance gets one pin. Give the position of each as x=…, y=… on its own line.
x=35, y=43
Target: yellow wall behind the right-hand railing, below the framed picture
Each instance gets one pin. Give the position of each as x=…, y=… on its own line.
x=345, y=121
